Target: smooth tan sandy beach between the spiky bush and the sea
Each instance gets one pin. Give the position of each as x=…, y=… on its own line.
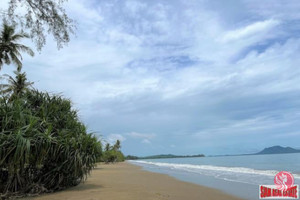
x=124, y=181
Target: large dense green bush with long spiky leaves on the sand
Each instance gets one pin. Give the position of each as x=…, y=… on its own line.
x=43, y=145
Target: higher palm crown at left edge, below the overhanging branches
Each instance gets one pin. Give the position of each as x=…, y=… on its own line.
x=10, y=50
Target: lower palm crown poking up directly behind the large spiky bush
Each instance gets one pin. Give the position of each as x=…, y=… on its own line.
x=16, y=86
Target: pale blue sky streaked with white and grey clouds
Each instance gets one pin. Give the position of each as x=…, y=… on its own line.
x=180, y=77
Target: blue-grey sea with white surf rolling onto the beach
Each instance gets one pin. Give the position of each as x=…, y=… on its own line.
x=237, y=175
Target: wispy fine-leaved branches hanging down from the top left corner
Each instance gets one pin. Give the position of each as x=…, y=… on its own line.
x=41, y=17
